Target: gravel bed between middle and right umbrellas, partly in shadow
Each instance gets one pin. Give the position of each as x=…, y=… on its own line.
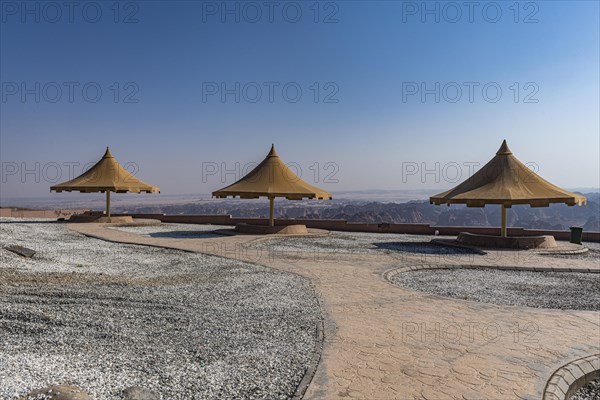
x=361, y=243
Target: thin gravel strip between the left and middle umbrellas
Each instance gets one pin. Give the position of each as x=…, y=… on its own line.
x=174, y=230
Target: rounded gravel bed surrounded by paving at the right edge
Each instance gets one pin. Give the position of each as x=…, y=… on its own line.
x=559, y=290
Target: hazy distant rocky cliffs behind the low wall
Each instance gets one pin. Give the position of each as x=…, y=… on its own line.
x=555, y=217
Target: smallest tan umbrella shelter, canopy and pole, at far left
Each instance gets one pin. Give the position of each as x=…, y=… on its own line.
x=107, y=175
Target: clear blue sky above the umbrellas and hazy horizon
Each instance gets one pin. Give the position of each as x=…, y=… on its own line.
x=363, y=126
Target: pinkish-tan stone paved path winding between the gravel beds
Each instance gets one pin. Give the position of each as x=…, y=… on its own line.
x=385, y=342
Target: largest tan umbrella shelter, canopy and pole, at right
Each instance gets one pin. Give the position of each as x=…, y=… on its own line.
x=506, y=181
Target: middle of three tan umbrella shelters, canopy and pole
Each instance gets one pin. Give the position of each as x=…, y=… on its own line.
x=272, y=178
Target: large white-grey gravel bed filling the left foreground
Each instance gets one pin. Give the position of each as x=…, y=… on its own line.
x=106, y=316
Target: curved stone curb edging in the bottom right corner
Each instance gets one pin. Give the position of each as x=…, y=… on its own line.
x=568, y=379
